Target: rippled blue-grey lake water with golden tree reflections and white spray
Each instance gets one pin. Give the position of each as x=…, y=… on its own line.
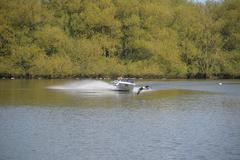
x=86, y=120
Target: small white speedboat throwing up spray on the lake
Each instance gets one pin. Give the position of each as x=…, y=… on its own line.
x=124, y=84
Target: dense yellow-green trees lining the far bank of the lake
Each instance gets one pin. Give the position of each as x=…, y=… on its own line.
x=141, y=38
